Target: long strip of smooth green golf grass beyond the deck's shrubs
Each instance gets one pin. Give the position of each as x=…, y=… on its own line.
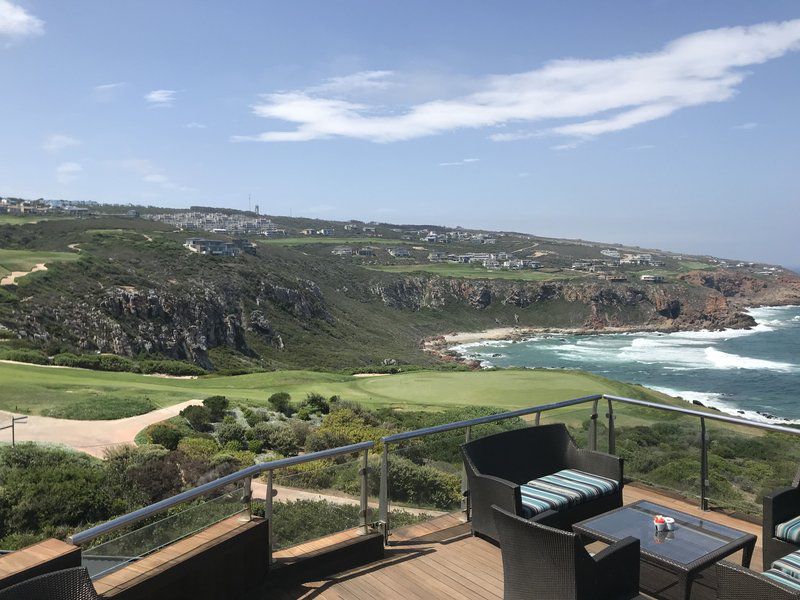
x=84, y=394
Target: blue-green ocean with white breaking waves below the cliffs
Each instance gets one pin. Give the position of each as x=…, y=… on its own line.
x=748, y=373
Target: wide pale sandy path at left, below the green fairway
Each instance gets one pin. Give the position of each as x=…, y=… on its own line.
x=92, y=437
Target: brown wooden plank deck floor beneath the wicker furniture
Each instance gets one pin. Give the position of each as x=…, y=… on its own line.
x=441, y=559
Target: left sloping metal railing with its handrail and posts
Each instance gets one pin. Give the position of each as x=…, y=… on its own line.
x=245, y=476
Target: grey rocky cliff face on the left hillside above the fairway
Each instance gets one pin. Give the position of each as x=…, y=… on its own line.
x=174, y=321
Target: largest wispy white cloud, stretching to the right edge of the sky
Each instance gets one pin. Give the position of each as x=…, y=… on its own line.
x=595, y=96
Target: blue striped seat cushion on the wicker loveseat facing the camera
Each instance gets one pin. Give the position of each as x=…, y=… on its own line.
x=562, y=490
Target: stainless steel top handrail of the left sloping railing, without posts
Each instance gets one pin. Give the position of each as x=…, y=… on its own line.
x=201, y=490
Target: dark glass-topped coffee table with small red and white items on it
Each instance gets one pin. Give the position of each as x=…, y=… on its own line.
x=693, y=545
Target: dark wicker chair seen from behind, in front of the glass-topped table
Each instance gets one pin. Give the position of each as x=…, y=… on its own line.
x=543, y=562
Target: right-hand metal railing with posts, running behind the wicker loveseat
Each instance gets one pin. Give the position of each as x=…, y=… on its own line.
x=592, y=438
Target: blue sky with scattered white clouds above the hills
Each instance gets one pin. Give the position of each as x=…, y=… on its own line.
x=663, y=123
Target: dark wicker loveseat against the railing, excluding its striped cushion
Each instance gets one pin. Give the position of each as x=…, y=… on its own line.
x=497, y=465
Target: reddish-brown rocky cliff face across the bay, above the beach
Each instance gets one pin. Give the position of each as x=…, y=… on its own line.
x=594, y=305
